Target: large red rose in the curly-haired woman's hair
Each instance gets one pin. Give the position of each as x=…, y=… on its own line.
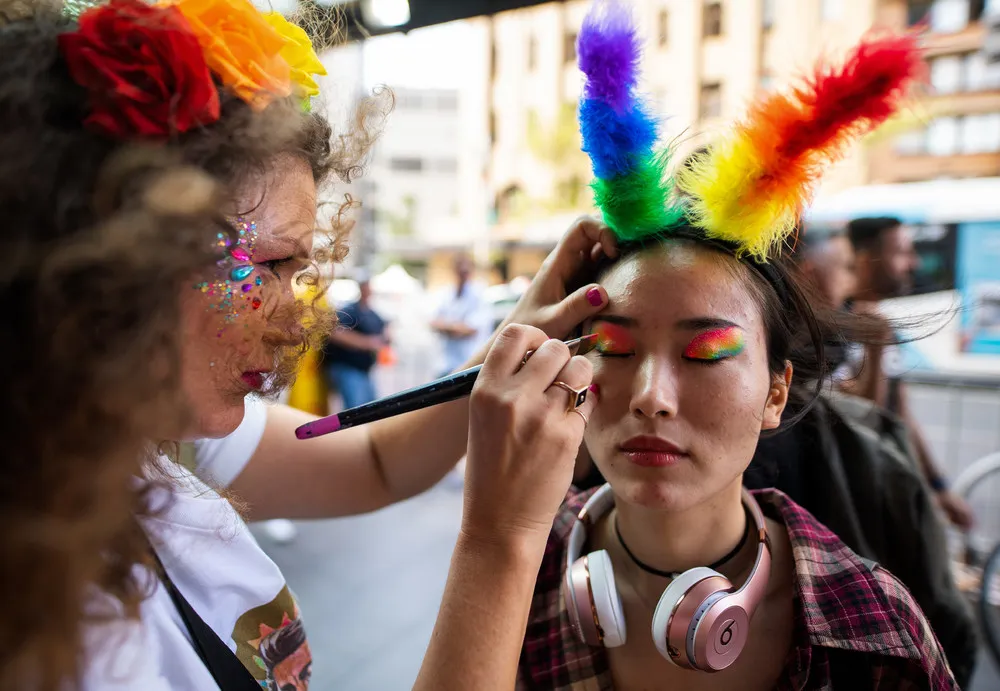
x=144, y=69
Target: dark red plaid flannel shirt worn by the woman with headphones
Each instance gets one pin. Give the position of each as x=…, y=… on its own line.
x=855, y=628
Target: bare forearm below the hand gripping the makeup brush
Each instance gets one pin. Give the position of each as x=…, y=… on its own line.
x=480, y=627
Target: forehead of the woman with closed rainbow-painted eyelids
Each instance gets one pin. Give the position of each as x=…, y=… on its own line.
x=676, y=281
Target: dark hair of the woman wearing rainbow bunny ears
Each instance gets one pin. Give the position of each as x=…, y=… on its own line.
x=797, y=330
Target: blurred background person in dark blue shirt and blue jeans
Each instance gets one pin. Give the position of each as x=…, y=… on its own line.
x=351, y=351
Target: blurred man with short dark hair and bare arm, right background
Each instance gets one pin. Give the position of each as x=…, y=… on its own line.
x=886, y=261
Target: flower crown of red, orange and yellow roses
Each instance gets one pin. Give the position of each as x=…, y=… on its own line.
x=155, y=70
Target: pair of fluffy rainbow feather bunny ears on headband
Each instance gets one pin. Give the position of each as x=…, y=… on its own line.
x=749, y=189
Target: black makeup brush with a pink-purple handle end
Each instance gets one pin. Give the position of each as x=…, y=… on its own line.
x=442, y=390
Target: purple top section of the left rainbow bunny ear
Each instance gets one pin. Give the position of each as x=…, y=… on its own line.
x=609, y=52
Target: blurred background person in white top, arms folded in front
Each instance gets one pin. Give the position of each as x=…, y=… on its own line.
x=464, y=320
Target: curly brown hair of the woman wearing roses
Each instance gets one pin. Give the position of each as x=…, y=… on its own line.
x=97, y=238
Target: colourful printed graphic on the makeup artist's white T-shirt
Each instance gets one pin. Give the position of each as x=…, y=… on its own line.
x=271, y=643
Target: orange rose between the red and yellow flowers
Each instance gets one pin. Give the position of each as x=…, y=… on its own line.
x=240, y=47
